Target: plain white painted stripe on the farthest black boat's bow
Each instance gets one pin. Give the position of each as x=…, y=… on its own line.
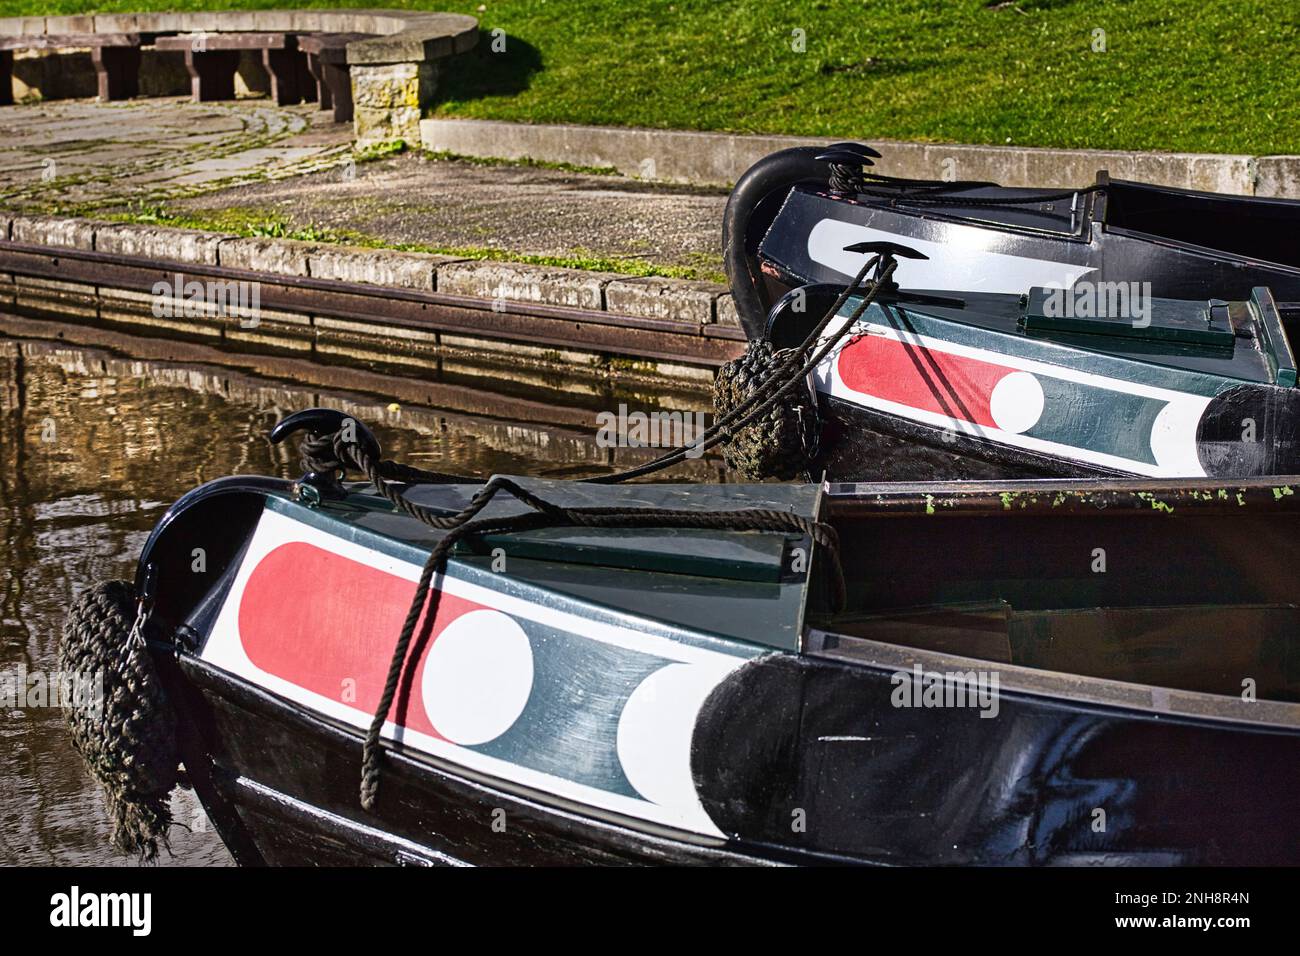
x=964, y=262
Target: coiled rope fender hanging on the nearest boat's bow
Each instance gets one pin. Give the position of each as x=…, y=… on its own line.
x=127, y=734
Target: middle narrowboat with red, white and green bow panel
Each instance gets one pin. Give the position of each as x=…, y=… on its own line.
x=978, y=386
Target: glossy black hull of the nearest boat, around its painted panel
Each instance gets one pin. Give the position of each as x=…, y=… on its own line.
x=799, y=762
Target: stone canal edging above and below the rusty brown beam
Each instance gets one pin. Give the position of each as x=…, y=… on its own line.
x=683, y=301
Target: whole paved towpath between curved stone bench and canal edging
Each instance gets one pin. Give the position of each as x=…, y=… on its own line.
x=292, y=166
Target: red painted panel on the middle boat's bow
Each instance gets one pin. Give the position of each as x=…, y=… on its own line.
x=924, y=379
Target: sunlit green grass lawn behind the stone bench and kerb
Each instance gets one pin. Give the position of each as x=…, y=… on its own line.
x=1207, y=76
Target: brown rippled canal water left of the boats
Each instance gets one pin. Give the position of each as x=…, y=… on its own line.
x=97, y=440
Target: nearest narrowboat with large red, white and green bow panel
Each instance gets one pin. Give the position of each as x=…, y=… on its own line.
x=1006, y=673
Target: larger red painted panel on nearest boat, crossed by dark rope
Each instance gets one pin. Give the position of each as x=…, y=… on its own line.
x=319, y=620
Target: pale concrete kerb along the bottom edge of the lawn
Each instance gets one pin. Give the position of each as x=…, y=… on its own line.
x=720, y=159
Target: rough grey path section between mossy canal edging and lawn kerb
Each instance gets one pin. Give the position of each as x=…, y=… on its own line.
x=414, y=200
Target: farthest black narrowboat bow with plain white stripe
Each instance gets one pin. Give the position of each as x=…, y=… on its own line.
x=792, y=215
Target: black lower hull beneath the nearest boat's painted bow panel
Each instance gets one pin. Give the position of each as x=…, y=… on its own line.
x=292, y=780
